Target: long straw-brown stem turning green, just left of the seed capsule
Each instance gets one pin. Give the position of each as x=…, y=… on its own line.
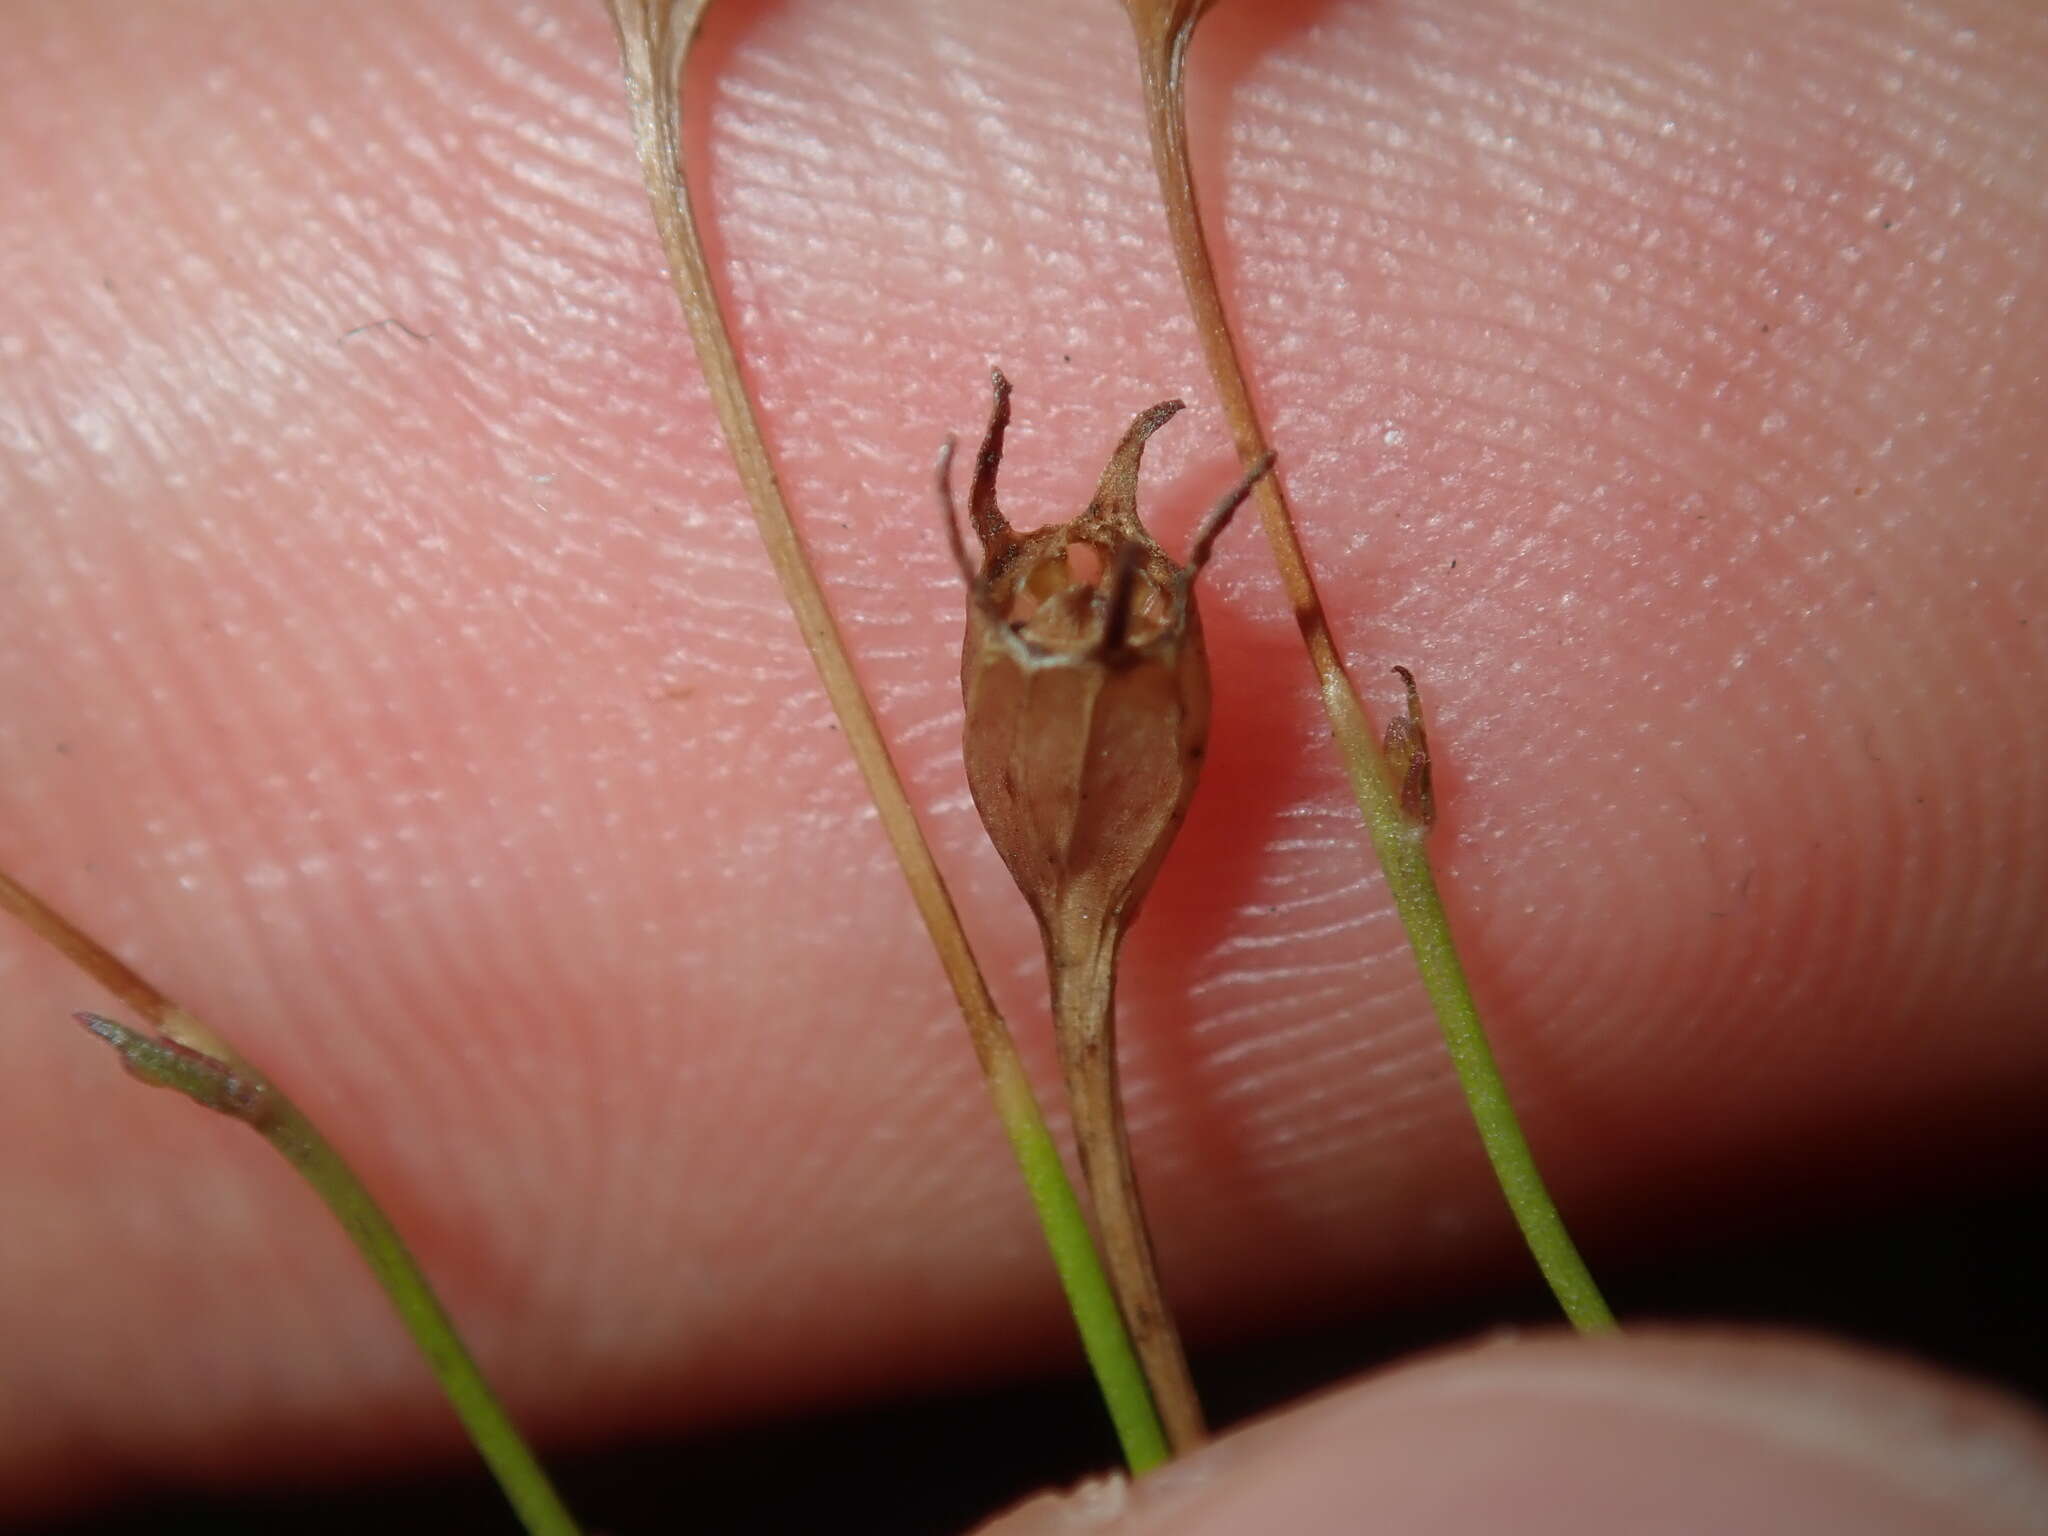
x=654, y=40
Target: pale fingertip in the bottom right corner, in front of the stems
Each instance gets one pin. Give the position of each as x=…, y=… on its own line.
x=1654, y=1435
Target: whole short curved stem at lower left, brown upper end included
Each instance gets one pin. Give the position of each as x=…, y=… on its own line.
x=200, y=1064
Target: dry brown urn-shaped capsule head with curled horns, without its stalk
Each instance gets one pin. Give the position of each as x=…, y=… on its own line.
x=1086, y=689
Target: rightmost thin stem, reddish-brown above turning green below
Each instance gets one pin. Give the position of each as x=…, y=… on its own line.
x=1164, y=30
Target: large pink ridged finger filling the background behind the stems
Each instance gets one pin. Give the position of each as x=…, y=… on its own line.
x=417, y=706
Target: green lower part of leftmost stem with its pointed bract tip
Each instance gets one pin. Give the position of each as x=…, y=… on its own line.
x=230, y=1086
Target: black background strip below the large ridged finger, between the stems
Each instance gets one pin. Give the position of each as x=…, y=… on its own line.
x=1957, y=1283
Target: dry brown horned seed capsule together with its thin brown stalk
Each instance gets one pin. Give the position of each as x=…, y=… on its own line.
x=1086, y=693
